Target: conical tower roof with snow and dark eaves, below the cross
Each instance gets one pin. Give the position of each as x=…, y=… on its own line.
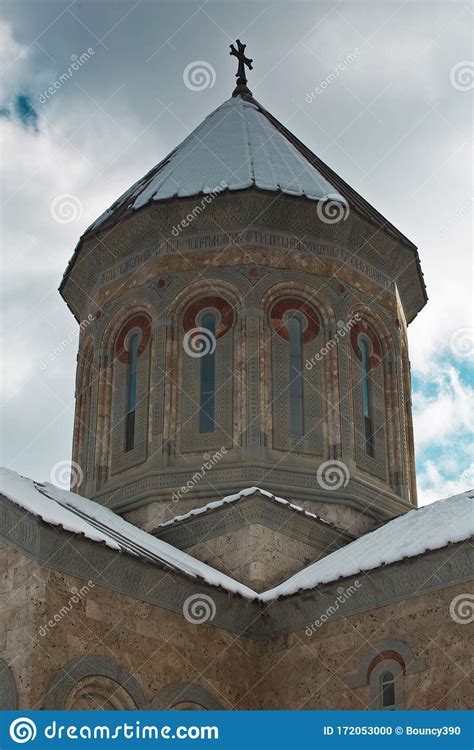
x=241, y=146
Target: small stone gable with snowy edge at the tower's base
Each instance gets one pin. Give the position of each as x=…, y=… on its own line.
x=256, y=539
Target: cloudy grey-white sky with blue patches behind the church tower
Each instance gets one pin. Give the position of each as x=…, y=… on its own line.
x=394, y=121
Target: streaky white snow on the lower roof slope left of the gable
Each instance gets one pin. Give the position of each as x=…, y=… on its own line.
x=100, y=524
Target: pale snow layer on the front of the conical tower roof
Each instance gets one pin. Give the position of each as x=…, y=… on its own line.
x=234, y=148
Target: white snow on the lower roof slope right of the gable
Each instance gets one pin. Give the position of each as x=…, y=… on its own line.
x=432, y=527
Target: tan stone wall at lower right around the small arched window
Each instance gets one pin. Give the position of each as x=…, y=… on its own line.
x=318, y=669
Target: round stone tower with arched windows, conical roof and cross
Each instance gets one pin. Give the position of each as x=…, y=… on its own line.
x=249, y=313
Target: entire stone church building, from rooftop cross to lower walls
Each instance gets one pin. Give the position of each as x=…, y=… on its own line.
x=242, y=529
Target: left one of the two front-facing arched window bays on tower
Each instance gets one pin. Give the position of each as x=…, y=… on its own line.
x=204, y=396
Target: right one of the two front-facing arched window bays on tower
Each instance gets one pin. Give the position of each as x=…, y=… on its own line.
x=297, y=386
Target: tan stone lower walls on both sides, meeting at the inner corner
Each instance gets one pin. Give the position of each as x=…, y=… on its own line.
x=133, y=653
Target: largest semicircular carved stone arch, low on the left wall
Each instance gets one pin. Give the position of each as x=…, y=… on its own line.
x=94, y=680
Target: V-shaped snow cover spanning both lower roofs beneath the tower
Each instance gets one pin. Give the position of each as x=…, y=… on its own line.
x=429, y=528
